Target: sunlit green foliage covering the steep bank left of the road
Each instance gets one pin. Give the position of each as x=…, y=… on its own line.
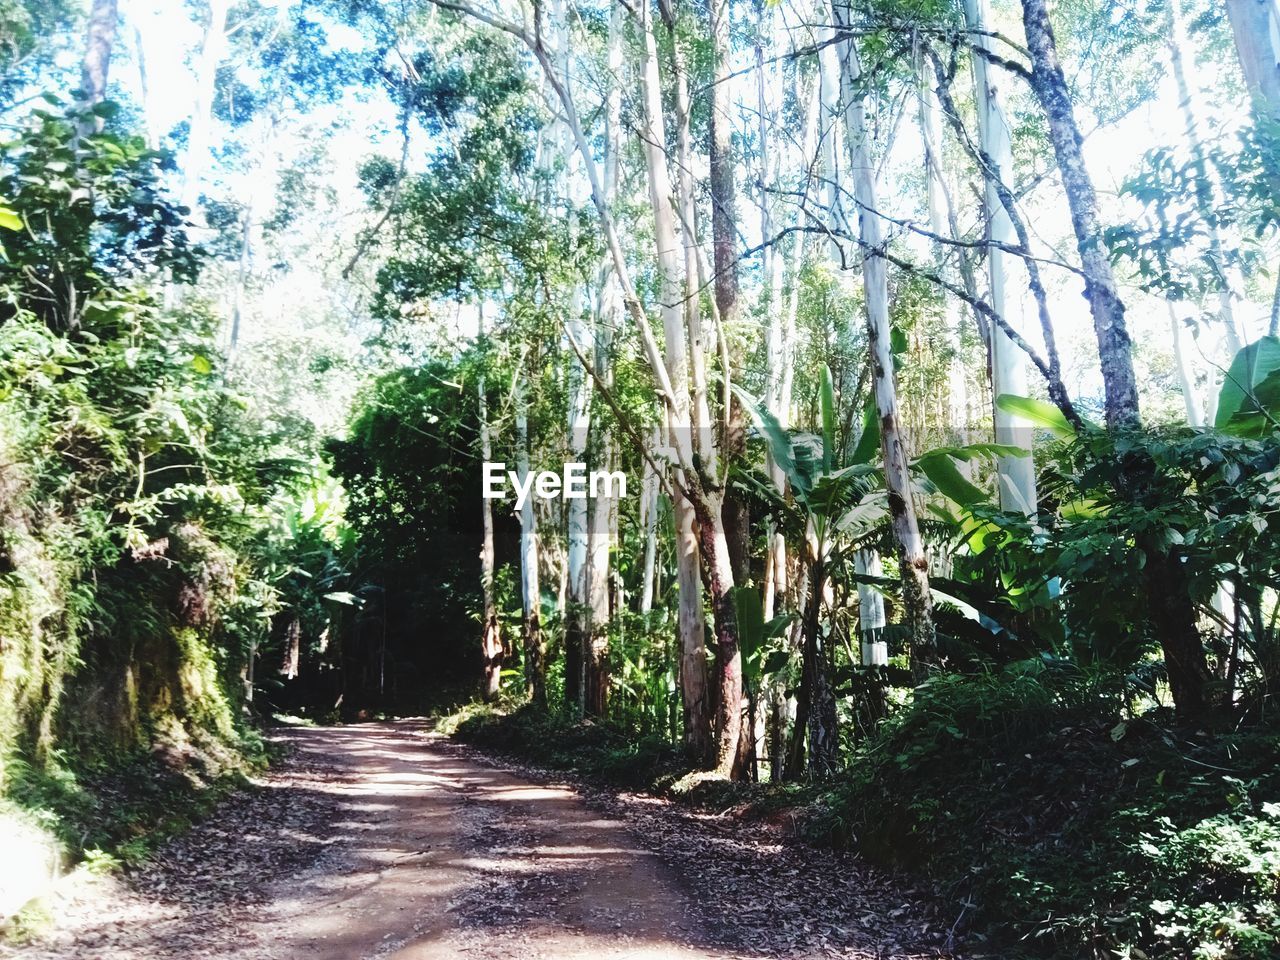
x=139, y=504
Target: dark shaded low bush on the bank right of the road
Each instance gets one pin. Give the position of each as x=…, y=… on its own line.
x=1063, y=830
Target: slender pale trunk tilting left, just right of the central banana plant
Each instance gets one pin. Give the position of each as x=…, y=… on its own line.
x=917, y=601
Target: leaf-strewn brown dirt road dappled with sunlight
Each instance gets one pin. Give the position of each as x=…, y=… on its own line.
x=383, y=842
